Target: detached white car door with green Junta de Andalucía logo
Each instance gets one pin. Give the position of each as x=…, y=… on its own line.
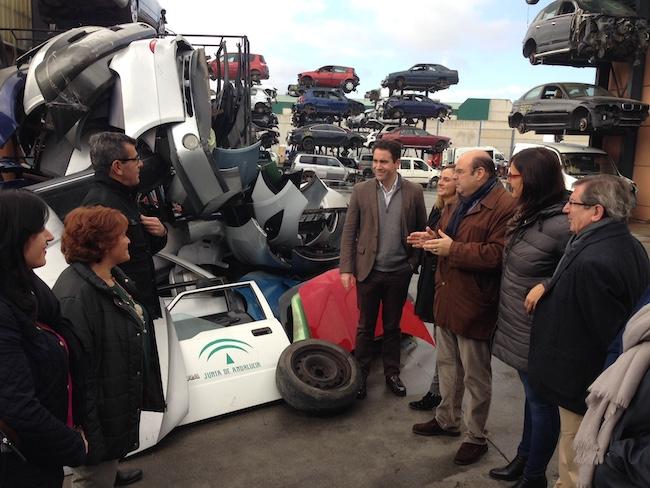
x=230, y=344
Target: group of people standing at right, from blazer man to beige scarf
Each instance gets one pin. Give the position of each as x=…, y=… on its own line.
x=541, y=278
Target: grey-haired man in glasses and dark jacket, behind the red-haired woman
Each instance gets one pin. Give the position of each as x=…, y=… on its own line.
x=117, y=175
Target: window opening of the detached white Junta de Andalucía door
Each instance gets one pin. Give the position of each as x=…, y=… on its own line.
x=213, y=309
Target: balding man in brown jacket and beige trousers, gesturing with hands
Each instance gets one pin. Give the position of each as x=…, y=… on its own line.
x=469, y=245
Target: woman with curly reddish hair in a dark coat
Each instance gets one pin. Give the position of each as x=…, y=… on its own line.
x=115, y=331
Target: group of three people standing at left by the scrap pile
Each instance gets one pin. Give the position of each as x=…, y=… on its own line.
x=79, y=362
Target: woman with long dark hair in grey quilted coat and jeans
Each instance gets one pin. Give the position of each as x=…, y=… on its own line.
x=537, y=236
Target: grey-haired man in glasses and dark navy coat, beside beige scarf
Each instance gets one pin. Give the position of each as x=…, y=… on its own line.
x=591, y=295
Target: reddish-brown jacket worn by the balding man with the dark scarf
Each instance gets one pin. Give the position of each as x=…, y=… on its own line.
x=467, y=281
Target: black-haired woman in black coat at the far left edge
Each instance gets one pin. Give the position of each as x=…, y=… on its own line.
x=35, y=346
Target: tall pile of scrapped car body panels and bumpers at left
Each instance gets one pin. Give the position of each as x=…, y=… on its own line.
x=199, y=163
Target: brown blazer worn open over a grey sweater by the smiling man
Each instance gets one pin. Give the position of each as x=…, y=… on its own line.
x=360, y=237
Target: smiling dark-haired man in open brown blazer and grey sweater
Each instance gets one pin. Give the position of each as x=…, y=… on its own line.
x=374, y=254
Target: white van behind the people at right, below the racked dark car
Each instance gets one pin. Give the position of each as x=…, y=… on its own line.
x=576, y=161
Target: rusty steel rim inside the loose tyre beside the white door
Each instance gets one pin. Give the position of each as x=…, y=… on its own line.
x=321, y=368
